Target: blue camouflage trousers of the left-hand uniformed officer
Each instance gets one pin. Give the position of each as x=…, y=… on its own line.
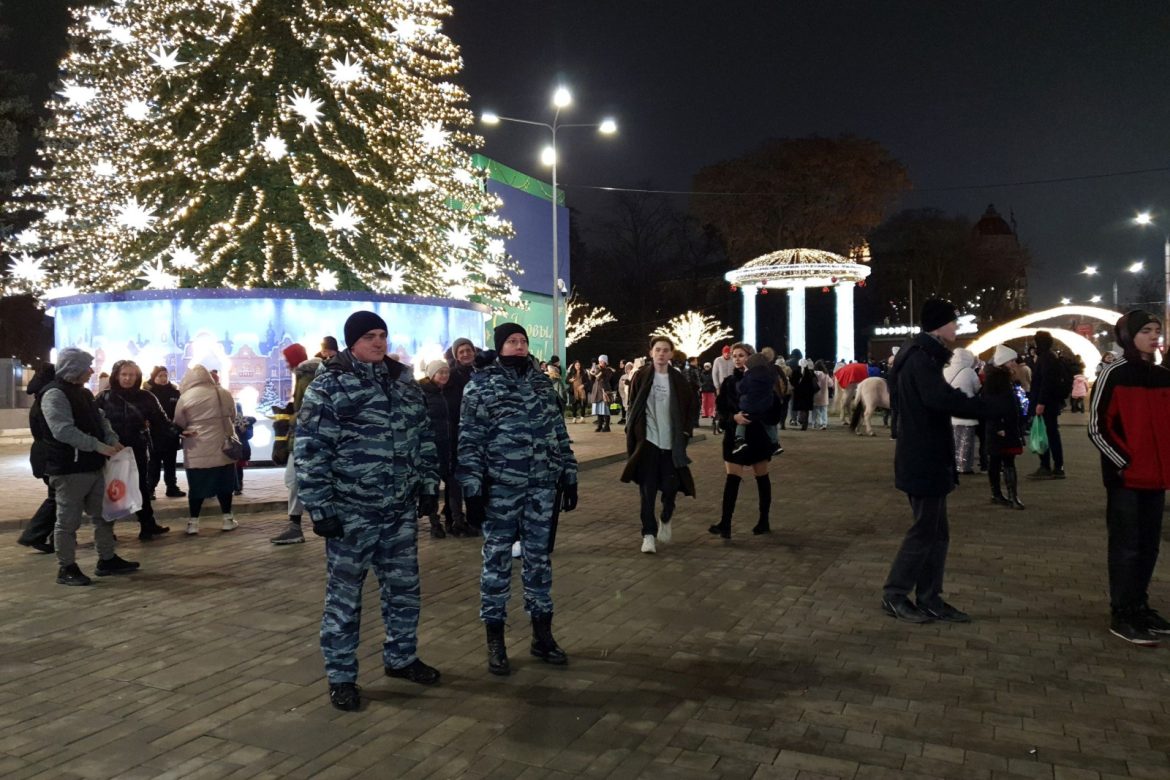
x=389, y=544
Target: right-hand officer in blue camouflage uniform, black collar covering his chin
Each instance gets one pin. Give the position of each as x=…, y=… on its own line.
x=514, y=452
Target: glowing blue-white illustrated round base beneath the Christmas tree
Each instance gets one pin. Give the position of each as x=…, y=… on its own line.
x=242, y=335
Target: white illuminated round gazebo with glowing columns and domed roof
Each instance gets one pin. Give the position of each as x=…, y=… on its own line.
x=795, y=271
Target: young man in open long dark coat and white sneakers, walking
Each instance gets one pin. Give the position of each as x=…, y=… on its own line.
x=660, y=426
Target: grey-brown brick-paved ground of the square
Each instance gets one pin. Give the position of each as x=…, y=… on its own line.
x=756, y=658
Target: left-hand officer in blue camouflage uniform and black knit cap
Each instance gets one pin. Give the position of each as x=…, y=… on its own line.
x=367, y=468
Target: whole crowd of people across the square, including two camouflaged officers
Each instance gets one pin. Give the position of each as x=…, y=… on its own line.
x=371, y=451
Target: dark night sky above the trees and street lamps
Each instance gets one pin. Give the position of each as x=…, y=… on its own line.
x=965, y=94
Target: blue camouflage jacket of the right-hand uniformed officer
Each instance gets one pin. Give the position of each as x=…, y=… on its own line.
x=512, y=432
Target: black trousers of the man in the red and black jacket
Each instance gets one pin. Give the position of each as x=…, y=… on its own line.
x=1134, y=519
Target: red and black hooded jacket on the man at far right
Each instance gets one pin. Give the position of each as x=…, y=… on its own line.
x=1130, y=423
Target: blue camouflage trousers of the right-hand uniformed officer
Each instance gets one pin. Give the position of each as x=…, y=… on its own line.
x=526, y=514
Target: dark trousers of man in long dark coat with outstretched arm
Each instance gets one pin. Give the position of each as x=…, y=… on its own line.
x=923, y=557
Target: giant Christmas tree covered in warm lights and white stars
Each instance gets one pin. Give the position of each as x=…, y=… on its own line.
x=263, y=143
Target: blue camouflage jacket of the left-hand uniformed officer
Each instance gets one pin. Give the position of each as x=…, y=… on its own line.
x=363, y=439
